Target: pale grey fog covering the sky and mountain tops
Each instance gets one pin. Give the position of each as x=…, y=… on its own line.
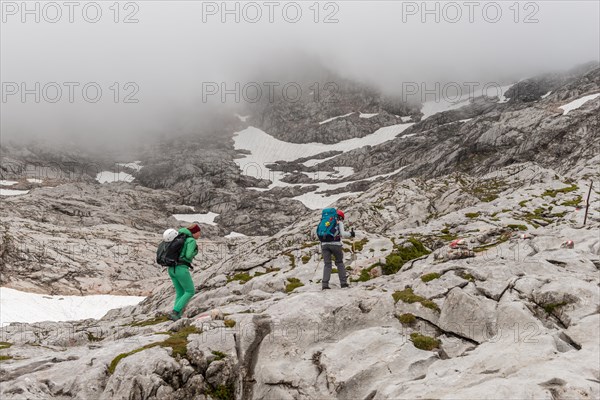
x=153, y=73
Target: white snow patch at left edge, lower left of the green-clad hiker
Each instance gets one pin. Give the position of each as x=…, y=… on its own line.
x=17, y=306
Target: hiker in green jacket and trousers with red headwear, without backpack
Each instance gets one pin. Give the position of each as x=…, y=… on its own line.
x=180, y=274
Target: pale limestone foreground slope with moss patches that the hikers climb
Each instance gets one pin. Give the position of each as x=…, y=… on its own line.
x=514, y=315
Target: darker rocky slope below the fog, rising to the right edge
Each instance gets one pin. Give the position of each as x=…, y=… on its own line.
x=499, y=134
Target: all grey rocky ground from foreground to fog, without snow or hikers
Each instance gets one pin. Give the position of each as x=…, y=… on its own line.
x=473, y=274
